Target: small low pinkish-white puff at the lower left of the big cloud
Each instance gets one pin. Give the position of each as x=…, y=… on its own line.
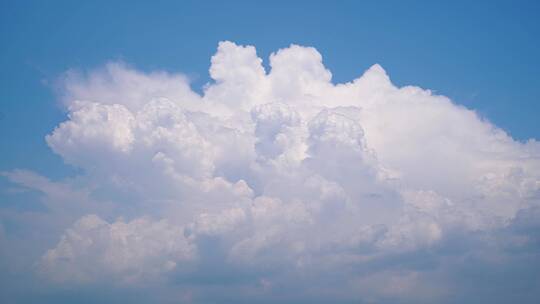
x=127, y=251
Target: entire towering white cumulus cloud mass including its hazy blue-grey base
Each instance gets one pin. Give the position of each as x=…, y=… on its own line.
x=280, y=185
